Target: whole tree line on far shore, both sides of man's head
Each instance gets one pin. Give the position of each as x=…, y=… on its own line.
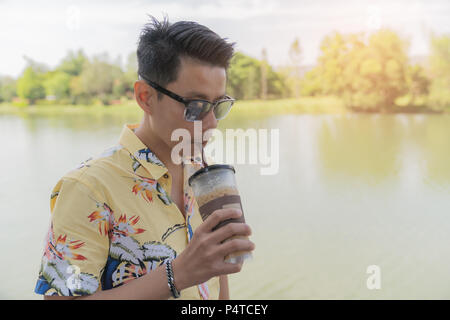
x=368, y=72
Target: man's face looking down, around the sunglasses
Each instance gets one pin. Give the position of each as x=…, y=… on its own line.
x=195, y=80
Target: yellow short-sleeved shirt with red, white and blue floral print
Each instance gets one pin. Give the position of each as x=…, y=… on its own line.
x=112, y=220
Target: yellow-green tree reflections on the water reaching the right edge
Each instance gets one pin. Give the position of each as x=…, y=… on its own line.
x=378, y=147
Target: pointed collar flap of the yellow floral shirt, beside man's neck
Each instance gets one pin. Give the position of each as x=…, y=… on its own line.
x=140, y=152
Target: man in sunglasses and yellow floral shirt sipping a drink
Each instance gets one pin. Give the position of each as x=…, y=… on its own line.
x=125, y=225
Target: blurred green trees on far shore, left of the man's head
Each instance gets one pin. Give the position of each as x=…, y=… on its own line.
x=77, y=80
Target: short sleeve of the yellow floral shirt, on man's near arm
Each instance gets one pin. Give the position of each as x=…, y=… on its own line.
x=77, y=243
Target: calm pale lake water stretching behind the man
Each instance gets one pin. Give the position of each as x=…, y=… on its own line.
x=352, y=191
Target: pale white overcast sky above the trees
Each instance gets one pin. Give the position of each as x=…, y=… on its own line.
x=46, y=30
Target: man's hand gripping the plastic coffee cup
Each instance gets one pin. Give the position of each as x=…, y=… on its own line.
x=204, y=256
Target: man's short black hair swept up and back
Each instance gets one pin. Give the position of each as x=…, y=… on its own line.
x=162, y=44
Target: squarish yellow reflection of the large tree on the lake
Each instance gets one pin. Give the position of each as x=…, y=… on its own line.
x=367, y=148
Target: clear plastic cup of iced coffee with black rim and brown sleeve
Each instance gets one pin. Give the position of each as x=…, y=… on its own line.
x=215, y=188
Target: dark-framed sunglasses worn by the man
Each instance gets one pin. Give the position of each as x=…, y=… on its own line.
x=197, y=109
